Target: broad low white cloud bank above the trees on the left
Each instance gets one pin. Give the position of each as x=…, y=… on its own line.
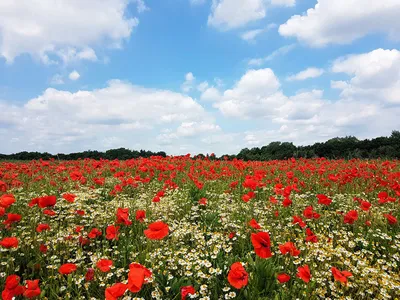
x=63, y=121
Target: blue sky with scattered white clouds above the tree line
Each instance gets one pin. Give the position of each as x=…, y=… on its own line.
x=195, y=76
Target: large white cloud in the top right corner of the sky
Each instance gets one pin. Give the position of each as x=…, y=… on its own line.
x=343, y=21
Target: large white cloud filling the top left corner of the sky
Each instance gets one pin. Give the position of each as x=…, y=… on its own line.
x=49, y=30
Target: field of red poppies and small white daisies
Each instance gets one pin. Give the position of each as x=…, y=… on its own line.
x=184, y=228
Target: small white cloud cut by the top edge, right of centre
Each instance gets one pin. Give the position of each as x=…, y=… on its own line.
x=231, y=14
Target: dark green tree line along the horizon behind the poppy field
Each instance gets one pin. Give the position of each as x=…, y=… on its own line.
x=340, y=147
